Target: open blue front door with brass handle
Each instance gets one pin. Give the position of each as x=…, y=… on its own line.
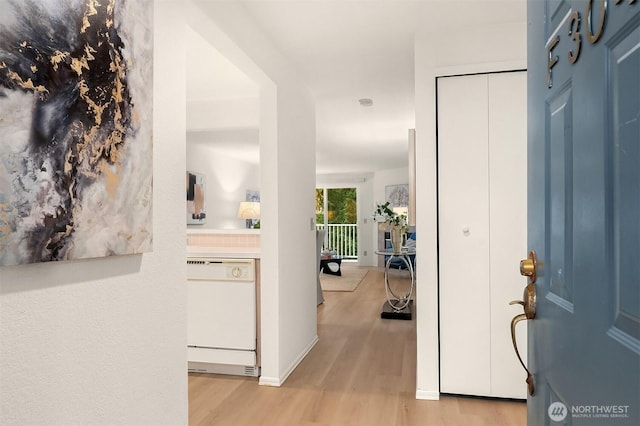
x=584, y=210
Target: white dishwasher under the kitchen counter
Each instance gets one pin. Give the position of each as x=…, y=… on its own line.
x=221, y=316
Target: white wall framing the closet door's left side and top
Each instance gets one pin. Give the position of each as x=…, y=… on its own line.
x=468, y=50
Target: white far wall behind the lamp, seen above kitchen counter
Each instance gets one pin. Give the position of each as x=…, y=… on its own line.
x=227, y=182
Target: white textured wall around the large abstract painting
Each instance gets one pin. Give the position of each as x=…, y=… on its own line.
x=103, y=341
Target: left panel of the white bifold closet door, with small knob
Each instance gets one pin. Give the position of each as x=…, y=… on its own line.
x=463, y=184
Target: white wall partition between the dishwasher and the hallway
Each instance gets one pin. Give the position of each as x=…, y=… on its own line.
x=287, y=183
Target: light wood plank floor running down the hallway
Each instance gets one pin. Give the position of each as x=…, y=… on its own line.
x=361, y=372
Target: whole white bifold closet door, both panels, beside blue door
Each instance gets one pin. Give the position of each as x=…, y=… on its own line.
x=482, y=215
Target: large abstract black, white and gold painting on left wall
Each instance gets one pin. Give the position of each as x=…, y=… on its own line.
x=75, y=129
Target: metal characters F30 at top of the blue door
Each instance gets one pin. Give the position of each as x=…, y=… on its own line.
x=594, y=28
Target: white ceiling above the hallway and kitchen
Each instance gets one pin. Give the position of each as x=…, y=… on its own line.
x=345, y=50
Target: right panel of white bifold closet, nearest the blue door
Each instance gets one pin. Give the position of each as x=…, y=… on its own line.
x=508, y=226
